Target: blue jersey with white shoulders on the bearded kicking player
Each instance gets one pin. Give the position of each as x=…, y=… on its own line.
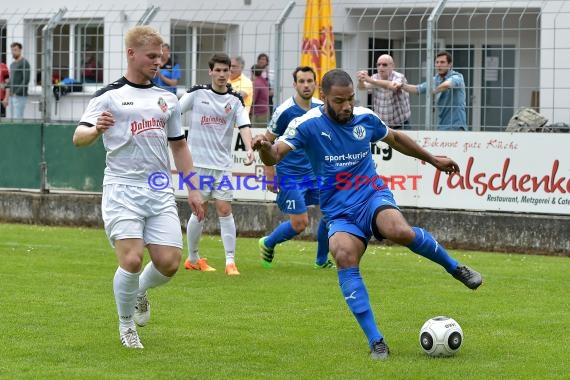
x=340, y=156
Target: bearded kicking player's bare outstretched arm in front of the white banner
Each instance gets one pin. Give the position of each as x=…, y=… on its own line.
x=406, y=145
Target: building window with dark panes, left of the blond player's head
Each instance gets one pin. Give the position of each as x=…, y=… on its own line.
x=77, y=51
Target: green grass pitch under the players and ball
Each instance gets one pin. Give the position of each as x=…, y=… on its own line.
x=58, y=318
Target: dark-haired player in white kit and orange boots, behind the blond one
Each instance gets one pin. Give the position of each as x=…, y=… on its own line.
x=214, y=111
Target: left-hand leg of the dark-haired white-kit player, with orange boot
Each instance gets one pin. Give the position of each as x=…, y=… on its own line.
x=194, y=228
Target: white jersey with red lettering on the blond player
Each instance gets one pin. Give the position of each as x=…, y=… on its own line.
x=146, y=117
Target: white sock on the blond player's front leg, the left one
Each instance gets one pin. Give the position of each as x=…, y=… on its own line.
x=125, y=287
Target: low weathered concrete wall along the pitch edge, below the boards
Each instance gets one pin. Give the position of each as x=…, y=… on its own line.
x=502, y=232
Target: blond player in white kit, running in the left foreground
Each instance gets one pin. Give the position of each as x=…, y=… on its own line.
x=137, y=121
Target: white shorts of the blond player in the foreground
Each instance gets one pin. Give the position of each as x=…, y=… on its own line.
x=132, y=212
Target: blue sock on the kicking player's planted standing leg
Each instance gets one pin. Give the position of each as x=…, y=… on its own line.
x=356, y=297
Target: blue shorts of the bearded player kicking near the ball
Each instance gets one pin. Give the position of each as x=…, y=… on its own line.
x=359, y=221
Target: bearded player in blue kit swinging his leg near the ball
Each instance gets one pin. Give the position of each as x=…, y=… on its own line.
x=336, y=138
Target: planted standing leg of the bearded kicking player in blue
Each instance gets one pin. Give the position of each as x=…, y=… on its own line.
x=347, y=245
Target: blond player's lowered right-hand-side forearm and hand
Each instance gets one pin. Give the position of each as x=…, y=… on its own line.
x=185, y=165
